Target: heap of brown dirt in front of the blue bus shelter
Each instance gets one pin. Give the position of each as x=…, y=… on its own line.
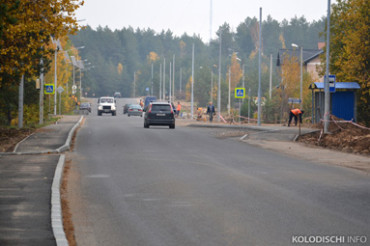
x=344, y=136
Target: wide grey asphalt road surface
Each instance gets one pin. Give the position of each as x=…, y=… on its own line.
x=160, y=187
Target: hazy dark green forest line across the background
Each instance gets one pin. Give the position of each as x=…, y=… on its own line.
x=120, y=54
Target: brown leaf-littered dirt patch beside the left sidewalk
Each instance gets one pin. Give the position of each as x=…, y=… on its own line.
x=9, y=137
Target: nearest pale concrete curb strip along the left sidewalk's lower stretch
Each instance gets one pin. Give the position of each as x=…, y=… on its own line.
x=56, y=206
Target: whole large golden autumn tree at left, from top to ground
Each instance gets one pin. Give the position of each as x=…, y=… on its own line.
x=26, y=28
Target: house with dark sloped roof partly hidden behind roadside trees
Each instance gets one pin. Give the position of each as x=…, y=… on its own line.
x=311, y=59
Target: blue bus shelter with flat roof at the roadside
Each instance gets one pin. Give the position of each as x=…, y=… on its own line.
x=343, y=102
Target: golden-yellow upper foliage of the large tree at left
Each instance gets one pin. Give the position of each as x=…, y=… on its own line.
x=34, y=24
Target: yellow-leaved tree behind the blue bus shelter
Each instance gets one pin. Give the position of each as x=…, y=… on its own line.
x=350, y=49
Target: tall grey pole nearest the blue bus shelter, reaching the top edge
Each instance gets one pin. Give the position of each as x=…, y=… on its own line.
x=326, y=83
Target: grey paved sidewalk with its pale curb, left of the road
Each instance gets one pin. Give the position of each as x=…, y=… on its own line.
x=30, y=210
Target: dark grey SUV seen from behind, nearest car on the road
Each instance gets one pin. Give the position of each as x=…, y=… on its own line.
x=160, y=114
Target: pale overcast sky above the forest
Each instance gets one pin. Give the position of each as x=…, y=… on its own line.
x=192, y=16
